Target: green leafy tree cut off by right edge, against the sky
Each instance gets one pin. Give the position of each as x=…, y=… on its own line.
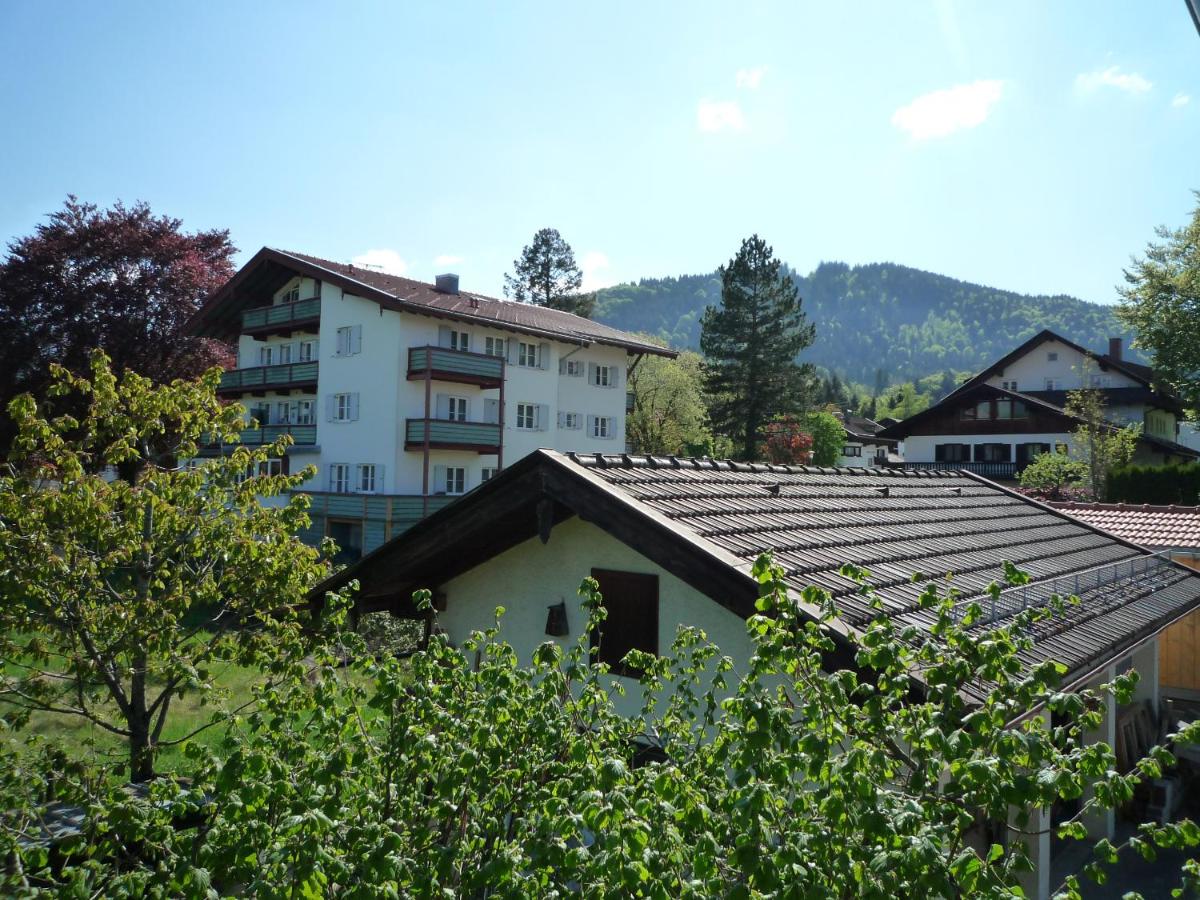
x=1161, y=301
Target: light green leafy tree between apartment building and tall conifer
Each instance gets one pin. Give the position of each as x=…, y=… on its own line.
x=669, y=415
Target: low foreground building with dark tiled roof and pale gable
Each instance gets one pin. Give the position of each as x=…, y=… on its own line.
x=673, y=543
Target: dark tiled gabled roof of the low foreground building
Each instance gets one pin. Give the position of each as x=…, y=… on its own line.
x=707, y=521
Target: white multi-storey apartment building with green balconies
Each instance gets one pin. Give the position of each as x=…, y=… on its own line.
x=406, y=395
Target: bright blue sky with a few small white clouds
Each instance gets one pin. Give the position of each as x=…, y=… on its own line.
x=1028, y=146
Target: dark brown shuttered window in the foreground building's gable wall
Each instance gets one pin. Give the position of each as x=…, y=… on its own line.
x=632, y=602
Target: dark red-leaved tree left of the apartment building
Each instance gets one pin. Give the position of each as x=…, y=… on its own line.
x=123, y=280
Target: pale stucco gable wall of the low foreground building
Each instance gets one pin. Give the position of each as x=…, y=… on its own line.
x=533, y=577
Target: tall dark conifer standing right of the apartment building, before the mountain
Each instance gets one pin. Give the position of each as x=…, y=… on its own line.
x=751, y=345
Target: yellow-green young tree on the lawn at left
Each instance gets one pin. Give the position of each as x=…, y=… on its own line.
x=123, y=593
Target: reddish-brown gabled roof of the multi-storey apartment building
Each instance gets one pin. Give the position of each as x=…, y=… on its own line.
x=271, y=269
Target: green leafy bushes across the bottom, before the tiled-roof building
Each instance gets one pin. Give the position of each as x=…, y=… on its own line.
x=469, y=772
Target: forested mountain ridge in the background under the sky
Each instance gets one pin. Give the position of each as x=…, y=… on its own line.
x=905, y=322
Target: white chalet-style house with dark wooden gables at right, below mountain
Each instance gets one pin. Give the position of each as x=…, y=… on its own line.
x=998, y=422
